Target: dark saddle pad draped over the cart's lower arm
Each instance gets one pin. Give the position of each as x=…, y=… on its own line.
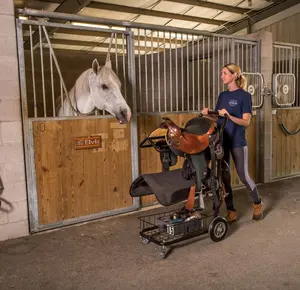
x=169, y=187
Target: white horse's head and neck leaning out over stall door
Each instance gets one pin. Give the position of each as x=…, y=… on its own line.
x=97, y=88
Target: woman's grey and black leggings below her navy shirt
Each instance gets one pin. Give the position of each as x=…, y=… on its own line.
x=240, y=158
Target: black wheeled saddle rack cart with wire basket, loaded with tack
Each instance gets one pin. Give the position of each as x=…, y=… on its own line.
x=173, y=186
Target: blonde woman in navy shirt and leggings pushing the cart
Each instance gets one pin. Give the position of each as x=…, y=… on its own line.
x=237, y=104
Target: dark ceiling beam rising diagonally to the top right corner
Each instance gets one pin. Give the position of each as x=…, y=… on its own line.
x=256, y=16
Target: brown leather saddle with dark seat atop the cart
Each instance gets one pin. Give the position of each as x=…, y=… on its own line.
x=193, y=138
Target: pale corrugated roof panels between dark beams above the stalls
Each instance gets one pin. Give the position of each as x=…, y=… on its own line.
x=161, y=16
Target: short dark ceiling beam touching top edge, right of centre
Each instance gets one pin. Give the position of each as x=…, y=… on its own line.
x=213, y=5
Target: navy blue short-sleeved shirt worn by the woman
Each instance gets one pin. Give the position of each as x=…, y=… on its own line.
x=236, y=103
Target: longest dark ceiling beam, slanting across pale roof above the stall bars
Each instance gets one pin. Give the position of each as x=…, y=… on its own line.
x=140, y=11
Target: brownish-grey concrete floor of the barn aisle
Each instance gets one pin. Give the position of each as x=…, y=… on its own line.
x=108, y=254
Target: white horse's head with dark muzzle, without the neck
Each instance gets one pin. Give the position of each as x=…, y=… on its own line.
x=105, y=91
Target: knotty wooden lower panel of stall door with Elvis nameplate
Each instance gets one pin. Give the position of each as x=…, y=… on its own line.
x=78, y=182
